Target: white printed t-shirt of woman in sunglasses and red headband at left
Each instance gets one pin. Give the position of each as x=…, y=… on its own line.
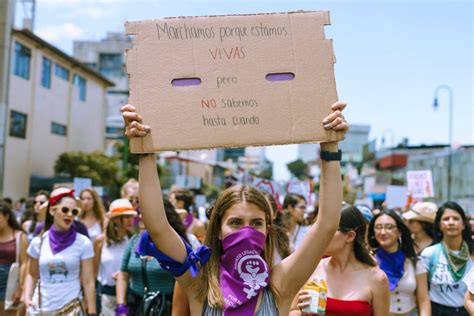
x=59, y=273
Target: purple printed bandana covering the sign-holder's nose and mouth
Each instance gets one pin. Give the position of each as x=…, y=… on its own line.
x=243, y=271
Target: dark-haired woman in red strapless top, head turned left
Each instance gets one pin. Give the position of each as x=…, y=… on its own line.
x=355, y=285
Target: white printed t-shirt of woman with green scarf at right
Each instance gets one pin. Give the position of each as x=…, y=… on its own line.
x=443, y=289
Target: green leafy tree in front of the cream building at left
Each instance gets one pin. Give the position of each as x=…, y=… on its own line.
x=103, y=170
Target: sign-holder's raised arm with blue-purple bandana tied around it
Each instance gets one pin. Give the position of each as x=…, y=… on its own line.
x=165, y=238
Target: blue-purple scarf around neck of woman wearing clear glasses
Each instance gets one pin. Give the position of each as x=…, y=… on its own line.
x=393, y=264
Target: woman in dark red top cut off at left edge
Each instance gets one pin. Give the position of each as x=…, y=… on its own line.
x=12, y=240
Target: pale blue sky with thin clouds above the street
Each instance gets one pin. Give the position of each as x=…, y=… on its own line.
x=391, y=56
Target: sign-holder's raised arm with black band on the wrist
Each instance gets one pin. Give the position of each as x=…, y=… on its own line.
x=291, y=273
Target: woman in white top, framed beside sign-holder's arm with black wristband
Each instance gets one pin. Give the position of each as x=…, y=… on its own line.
x=295, y=205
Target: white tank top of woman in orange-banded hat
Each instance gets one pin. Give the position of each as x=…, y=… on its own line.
x=110, y=261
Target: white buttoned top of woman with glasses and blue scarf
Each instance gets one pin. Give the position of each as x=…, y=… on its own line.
x=402, y=298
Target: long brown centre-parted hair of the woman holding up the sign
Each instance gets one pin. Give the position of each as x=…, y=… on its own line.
x=208, y=285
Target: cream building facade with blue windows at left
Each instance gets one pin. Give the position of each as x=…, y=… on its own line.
x=55, y=104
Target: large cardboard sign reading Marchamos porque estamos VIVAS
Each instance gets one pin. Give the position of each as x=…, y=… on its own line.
x=227, y=81
